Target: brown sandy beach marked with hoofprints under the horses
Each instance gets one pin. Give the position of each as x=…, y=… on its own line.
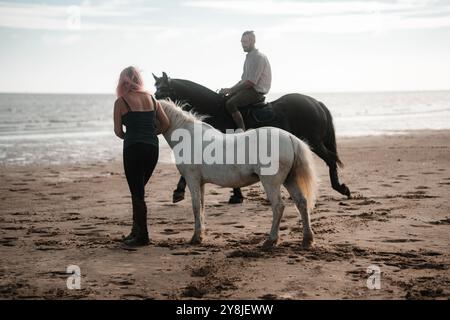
x=398, y=220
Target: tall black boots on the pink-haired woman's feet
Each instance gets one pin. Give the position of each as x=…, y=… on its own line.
x=140, y=235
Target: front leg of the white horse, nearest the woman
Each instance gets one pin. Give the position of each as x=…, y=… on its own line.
x=197, y=195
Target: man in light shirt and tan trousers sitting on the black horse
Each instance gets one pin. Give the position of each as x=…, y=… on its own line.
x=255, y=81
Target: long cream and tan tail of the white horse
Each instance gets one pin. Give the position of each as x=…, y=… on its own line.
x=303, y=171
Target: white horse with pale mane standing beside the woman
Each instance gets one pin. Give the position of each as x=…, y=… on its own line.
x=295, y=171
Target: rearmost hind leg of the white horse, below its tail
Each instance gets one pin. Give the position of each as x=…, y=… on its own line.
x=302, y=206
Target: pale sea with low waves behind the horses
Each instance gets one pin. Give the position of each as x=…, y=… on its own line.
x=53, y=129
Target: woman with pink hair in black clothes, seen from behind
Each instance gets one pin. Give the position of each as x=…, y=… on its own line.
x=144, y=119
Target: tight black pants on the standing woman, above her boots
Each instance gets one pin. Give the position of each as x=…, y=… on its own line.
x=139, y=161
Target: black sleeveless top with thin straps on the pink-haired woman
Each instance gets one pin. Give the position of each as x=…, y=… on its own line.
x=140, y=126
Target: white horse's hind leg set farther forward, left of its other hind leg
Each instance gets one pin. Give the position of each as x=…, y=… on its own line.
x=274, y=195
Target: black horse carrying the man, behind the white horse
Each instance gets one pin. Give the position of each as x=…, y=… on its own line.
x=303, y=116
